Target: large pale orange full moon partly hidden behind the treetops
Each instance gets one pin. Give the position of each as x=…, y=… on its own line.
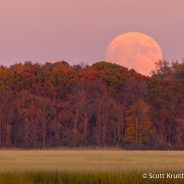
x=134, y=50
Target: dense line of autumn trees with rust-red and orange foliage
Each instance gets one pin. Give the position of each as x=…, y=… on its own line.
x=102, y=105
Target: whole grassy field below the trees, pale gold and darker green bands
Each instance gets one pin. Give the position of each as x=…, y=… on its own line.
x=98, y=166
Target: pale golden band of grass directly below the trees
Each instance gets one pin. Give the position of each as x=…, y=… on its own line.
x=90, y=161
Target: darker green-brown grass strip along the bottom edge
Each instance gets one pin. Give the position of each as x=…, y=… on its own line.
x=80, y=178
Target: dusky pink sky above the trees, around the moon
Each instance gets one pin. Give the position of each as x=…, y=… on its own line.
x=79, y=31
